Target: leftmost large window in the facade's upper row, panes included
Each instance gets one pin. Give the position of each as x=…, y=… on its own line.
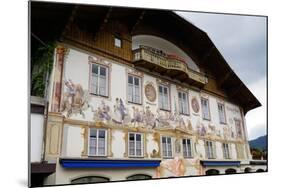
x=99, y=80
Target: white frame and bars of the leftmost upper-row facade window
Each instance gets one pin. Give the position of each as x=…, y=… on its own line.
x=98, y=77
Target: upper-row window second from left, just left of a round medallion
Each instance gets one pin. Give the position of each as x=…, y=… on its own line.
x=134, y=89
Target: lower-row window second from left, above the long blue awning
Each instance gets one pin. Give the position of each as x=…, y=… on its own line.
x=135, y=145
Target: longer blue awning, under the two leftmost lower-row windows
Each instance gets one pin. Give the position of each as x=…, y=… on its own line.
x=105, y=163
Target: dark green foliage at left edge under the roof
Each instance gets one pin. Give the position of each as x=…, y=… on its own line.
x=41, y=65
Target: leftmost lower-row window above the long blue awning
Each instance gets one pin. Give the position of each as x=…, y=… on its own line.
x=97, y=142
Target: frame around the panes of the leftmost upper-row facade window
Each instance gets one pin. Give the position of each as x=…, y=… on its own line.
x=91, y=80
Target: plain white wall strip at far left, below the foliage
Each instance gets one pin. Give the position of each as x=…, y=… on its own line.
x=36, y=136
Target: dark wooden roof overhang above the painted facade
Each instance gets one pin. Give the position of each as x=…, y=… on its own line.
x=163, y=23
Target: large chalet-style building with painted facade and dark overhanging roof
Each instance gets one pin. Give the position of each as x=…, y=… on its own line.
x=127, y=99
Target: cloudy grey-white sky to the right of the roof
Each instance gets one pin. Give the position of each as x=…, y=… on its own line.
x=242, y=42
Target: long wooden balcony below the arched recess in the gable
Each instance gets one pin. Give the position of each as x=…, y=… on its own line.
x=157, y=61
